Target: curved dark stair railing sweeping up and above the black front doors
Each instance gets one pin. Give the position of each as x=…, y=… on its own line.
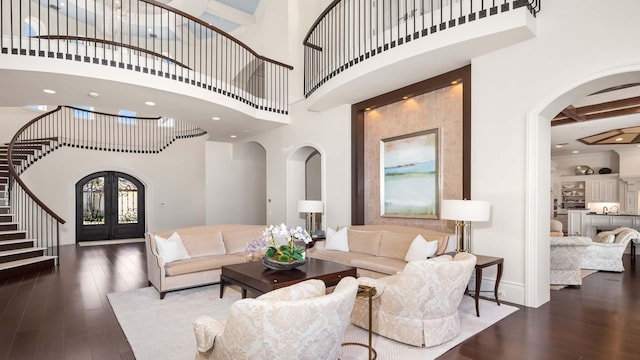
x=74, y=127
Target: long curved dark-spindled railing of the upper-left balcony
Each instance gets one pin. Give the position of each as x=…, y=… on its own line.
x=148, y=37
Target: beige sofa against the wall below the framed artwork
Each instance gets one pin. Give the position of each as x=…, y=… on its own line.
x=378, y=250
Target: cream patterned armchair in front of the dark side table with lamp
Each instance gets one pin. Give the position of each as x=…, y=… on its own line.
x=419, y=305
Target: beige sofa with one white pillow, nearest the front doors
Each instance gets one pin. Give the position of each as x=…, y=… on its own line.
x=209, y=248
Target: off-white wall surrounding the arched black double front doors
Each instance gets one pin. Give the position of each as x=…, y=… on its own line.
x=174, y=182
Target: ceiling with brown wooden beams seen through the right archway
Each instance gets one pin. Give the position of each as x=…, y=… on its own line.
x=610, y=109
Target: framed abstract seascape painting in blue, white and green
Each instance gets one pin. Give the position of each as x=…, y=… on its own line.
x=409, y=175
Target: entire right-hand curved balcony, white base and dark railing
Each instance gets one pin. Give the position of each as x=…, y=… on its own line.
x=358, y=49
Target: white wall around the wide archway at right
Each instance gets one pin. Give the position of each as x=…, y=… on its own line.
x=509, y=84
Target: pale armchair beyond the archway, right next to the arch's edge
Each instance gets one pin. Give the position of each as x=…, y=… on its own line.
x=566, y=259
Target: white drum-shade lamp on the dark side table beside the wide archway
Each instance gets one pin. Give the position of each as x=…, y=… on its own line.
x=464, y=212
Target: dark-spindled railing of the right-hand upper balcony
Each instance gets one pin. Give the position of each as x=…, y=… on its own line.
x=351, y=31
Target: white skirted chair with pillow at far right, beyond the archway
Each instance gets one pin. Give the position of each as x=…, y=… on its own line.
x=605, y=253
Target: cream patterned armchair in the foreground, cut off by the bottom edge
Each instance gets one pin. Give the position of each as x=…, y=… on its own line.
x=295, y=322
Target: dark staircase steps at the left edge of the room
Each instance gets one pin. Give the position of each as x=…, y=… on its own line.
x=18, y=254
